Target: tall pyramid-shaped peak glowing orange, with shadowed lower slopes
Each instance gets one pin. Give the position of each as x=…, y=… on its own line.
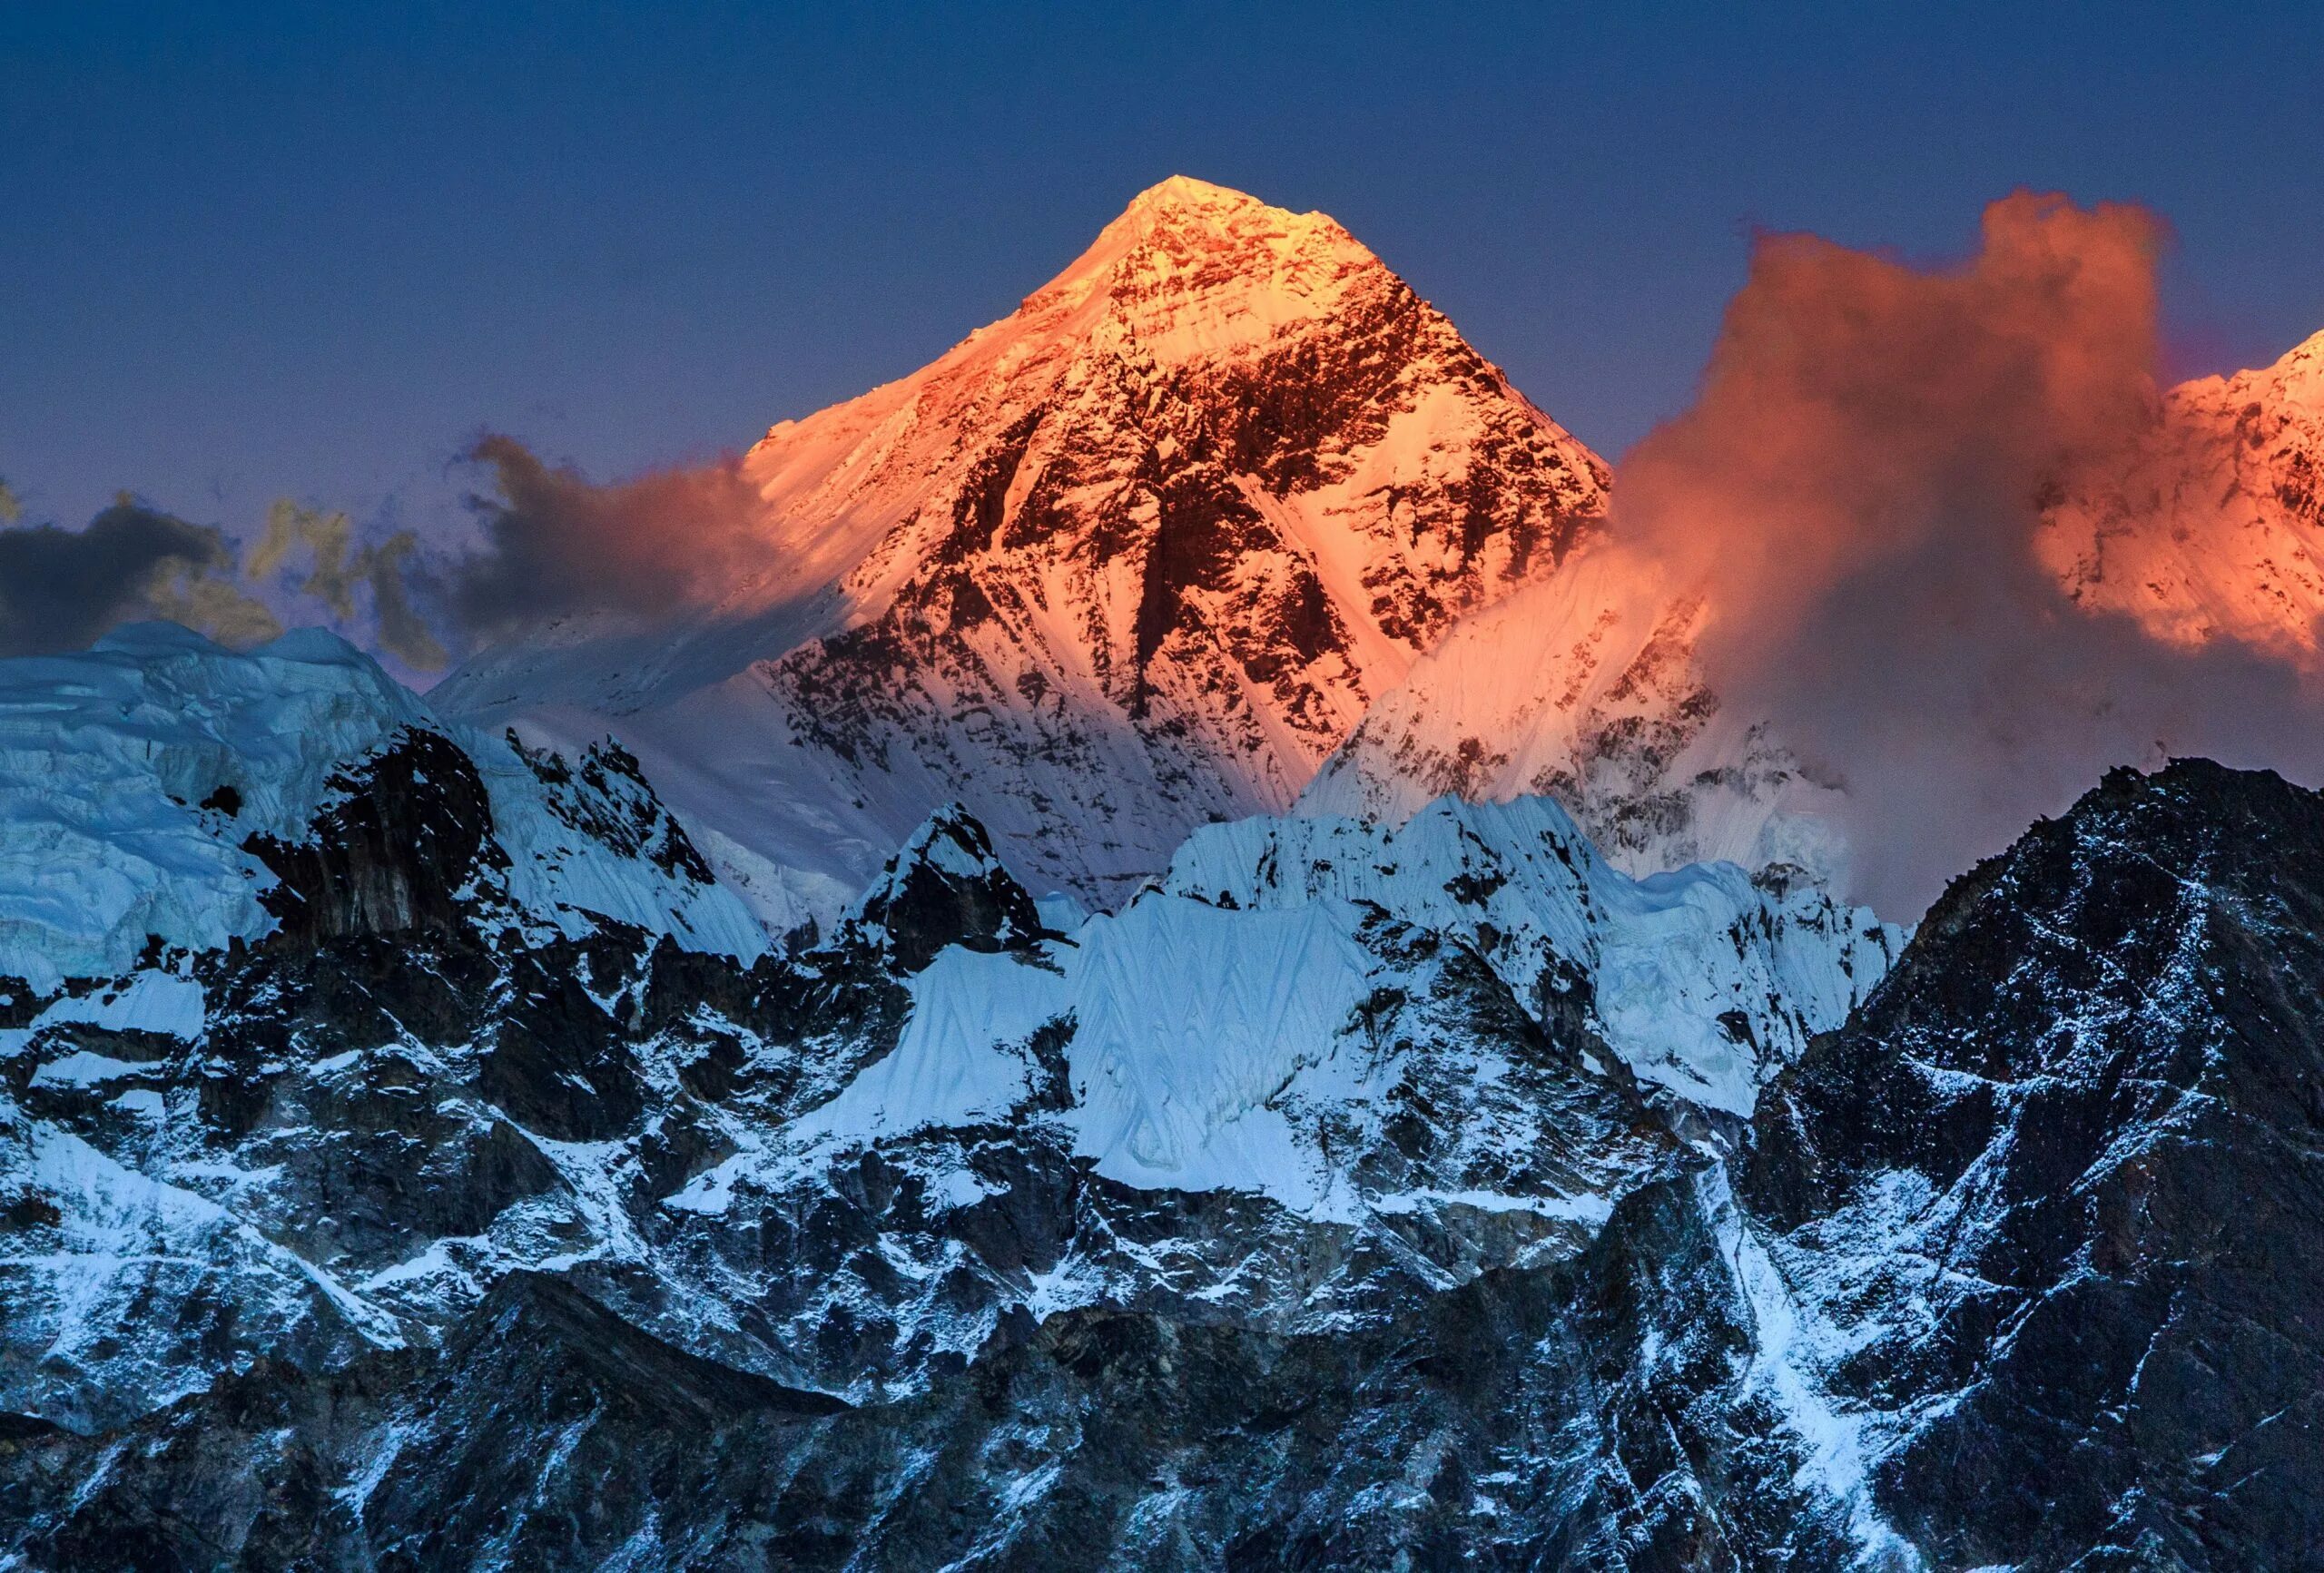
x=1128, y=561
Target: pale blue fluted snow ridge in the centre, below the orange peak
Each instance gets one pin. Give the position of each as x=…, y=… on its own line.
x=1240, y=1026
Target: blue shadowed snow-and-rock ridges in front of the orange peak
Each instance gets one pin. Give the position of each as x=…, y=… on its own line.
x=1358, y=1195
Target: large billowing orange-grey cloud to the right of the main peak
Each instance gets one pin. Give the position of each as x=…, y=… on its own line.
x=1860, y=484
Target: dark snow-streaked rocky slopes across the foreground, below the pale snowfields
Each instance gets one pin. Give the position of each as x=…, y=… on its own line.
x=2023, y=1267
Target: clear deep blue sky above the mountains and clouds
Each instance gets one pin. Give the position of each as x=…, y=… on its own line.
x=317, y=250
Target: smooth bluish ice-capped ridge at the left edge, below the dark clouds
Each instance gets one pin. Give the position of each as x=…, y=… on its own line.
x=136, y=775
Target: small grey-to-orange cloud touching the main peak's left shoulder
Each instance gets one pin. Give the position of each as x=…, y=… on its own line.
x=557, y=543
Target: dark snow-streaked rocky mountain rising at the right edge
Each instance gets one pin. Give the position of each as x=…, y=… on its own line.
x=2063, y=1191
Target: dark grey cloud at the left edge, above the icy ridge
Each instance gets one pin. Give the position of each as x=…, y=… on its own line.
x=62, y=589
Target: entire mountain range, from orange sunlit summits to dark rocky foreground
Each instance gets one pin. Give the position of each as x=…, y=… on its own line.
x=917, y=1105
